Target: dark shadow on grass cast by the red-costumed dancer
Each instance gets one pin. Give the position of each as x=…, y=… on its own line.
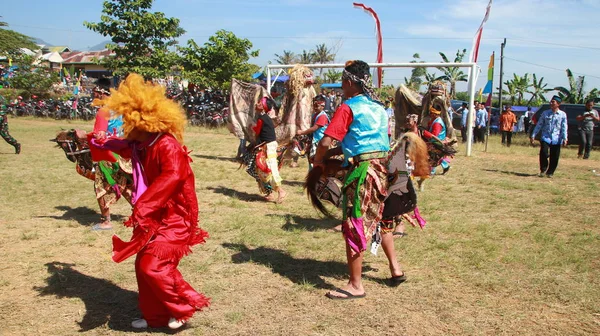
x=105, y=303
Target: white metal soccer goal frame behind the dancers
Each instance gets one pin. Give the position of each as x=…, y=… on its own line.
x=473, y=74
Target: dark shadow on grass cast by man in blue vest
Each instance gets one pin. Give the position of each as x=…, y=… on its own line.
x=299, y=270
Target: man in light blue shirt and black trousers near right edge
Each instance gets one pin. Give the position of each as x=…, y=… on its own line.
x=553, y=127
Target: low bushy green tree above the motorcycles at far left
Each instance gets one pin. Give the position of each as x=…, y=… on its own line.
x=33, y=80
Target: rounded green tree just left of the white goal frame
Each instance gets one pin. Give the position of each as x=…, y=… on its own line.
x=223, y=57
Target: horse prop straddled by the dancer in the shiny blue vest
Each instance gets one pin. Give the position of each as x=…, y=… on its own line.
x=408, y=154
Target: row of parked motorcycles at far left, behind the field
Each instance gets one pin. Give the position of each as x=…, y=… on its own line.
x=74, y=108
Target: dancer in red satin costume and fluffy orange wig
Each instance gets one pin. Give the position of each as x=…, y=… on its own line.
x=165, y=210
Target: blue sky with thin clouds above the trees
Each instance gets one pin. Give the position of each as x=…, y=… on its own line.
x=543, y=36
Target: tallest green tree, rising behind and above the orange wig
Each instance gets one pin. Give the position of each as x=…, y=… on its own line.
x=141, y=40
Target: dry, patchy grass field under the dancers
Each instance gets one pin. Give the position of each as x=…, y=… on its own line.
x=504, y=251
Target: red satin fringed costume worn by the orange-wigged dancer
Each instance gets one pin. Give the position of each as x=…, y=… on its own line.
x=165, y=226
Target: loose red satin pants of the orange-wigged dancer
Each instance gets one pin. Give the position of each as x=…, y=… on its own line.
x=162, y=291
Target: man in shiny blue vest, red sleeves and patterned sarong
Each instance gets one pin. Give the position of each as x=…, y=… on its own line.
x=360, y=124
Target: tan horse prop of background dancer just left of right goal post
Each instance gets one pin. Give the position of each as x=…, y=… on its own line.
x=411, y=104
